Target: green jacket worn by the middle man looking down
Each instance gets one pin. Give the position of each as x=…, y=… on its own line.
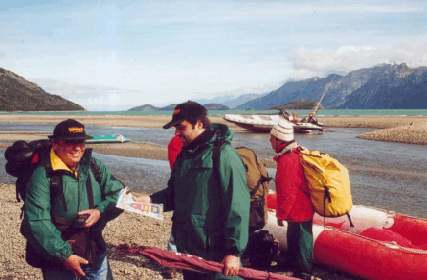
x=210, y=218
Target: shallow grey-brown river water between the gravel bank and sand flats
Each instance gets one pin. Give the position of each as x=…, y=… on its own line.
x=386, y=175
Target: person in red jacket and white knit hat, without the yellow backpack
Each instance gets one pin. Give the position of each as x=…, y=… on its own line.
x=293, y=198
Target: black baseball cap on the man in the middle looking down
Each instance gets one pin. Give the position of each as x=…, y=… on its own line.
x=189, y=111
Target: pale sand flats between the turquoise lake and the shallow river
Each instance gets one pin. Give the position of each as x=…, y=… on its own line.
x=401, y=129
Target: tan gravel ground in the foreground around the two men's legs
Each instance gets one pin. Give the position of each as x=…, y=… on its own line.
x=128, y=228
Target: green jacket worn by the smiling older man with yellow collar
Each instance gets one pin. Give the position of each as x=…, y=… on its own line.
x=42, y=222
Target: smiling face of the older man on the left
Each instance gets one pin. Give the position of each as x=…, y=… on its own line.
x=70, y=152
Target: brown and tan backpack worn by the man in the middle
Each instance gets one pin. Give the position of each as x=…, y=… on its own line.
x=257, y=182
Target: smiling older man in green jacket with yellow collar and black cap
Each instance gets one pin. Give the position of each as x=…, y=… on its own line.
x=70, y=198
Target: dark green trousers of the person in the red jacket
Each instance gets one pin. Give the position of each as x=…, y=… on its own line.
x=300, y=245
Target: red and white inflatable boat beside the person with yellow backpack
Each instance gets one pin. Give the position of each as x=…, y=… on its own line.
x=382, y=245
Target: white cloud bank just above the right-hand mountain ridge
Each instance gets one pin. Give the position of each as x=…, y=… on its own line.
x=320, y=62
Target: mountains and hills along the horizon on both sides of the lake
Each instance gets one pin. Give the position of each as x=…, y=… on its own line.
x=385, y=86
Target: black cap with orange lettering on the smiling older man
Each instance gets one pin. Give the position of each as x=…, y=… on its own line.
x=70, y=130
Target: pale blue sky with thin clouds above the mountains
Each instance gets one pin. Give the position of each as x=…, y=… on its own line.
x=116, y=54
